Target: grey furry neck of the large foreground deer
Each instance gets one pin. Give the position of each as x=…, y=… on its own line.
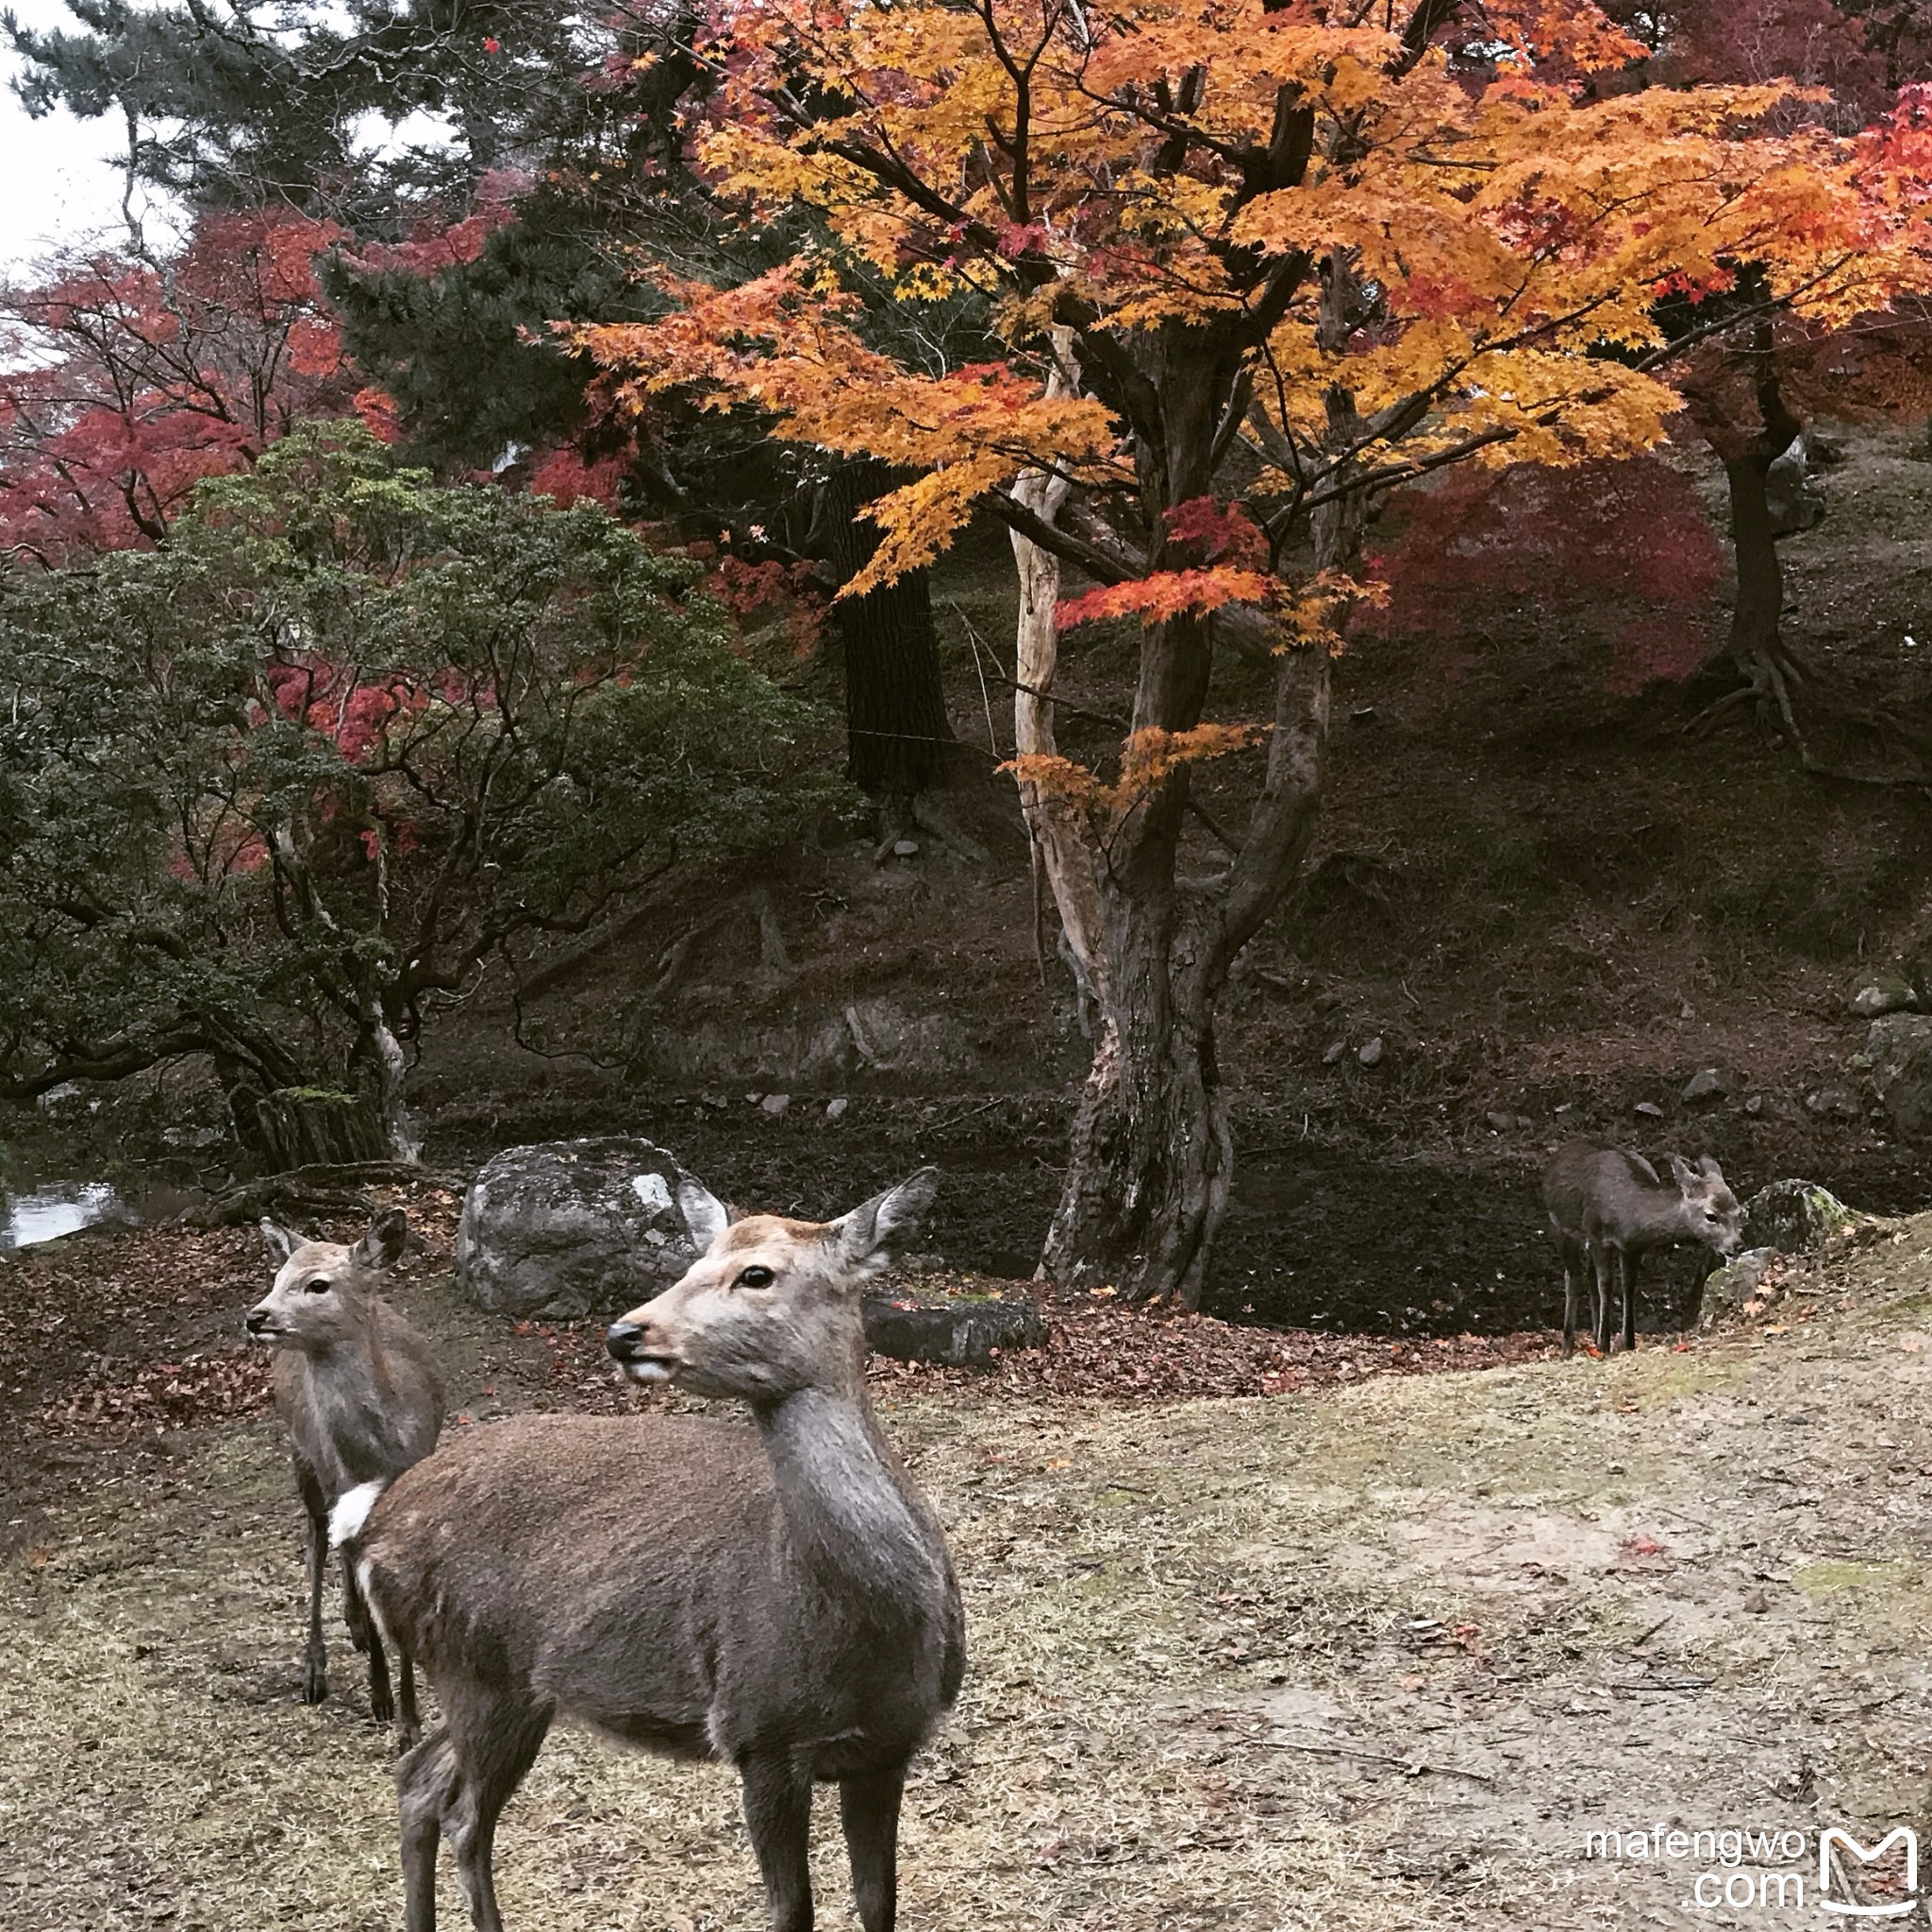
x=845, y=1512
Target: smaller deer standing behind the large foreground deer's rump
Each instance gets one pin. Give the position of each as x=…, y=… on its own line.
x=362, y=1400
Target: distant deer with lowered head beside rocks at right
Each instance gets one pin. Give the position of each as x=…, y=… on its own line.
x=1610, y=1207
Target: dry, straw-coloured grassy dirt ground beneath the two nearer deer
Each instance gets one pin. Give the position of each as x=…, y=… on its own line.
x=1369, y=1657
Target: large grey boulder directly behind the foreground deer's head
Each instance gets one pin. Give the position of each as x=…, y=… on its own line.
x=573, y=1228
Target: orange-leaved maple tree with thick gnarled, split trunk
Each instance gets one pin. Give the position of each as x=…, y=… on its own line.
x=1249, y=266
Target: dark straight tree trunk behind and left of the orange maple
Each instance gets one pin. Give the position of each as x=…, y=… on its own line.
x=899, y=739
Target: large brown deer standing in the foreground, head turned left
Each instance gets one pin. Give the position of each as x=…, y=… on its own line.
x=772, y=1595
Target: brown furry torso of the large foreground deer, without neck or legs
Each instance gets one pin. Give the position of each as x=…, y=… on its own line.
x=629, y=1572
